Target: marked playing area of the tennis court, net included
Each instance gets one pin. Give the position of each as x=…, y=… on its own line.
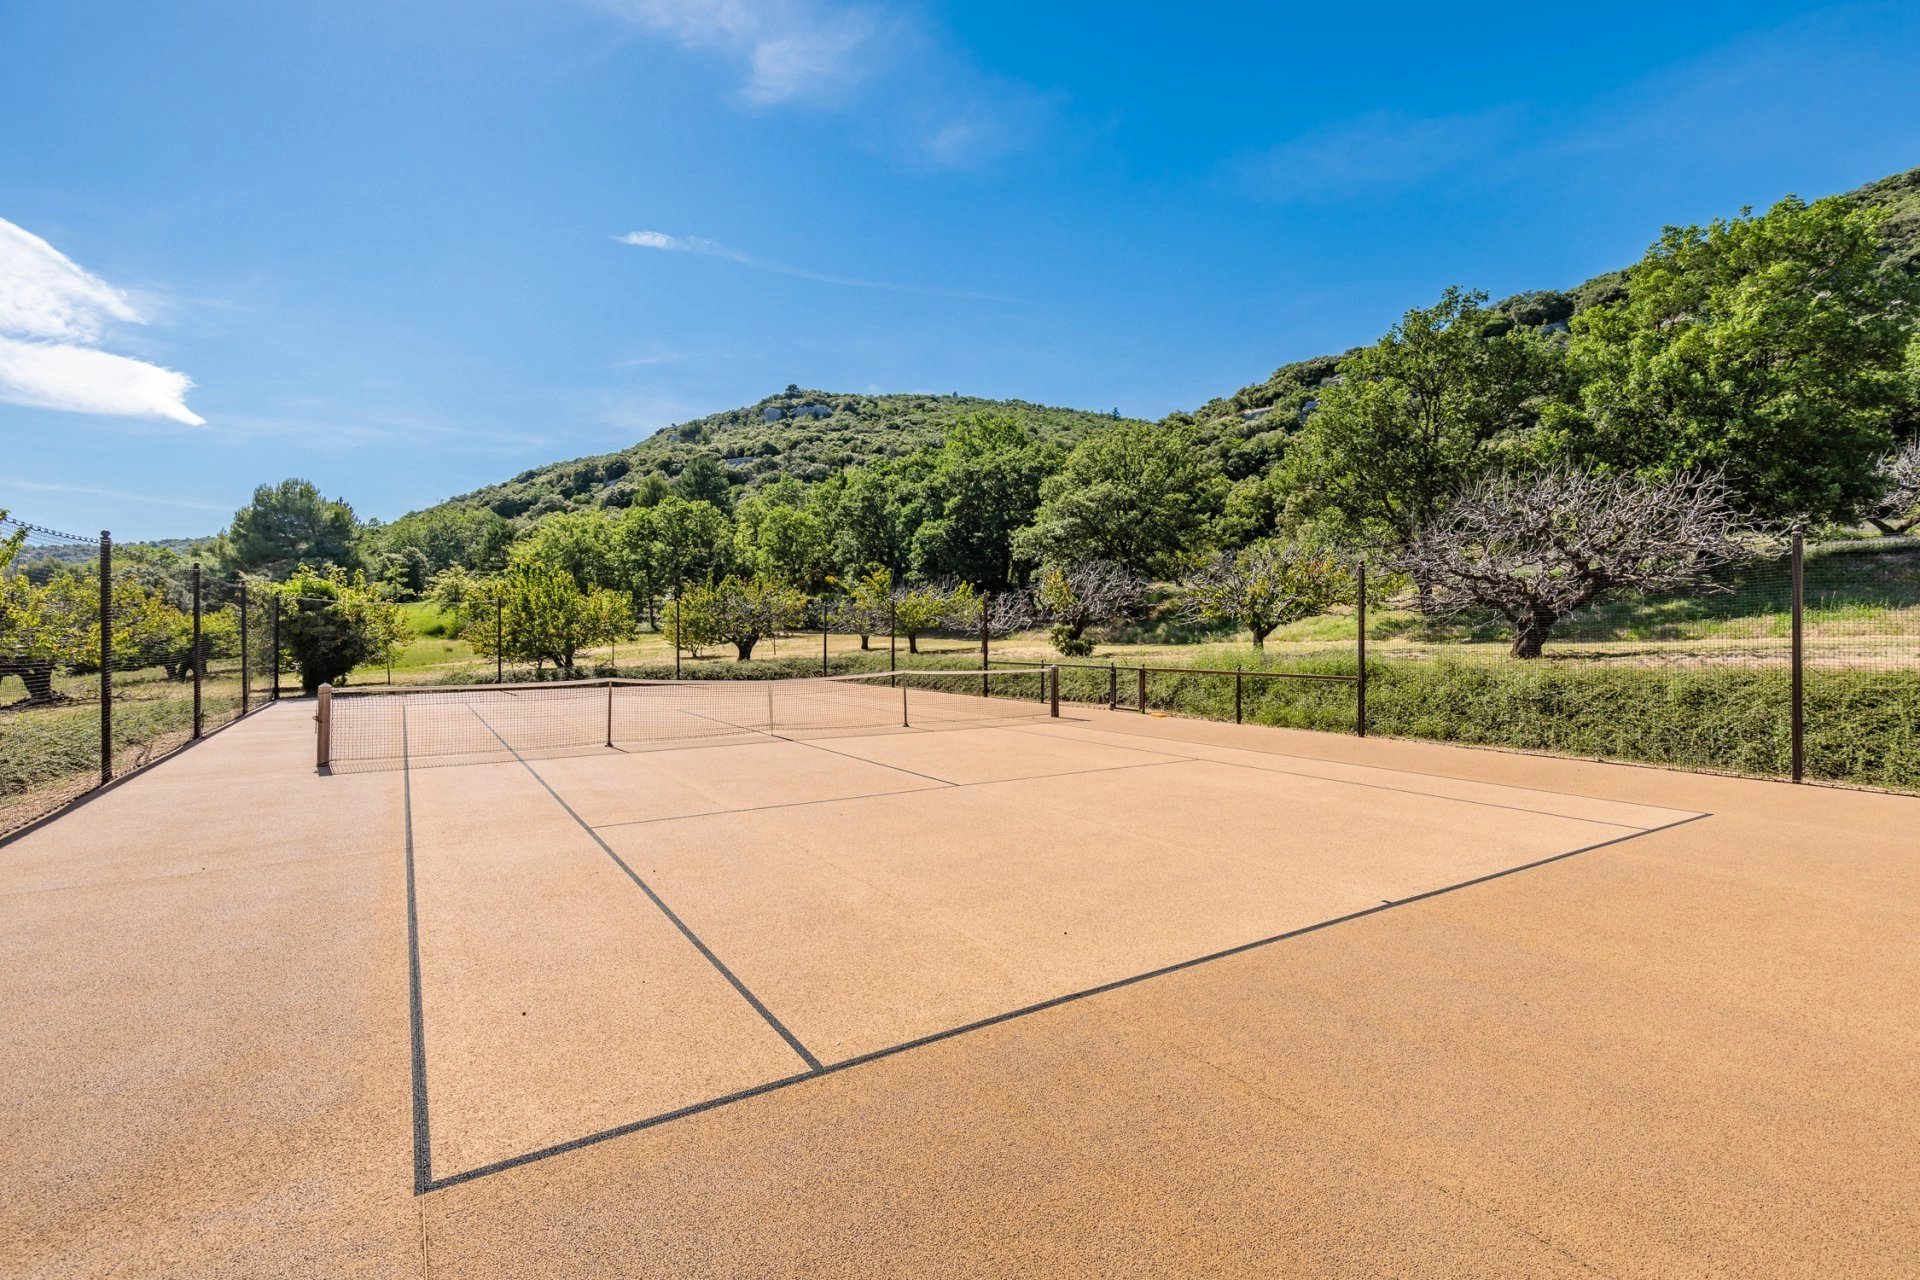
x=638, y=901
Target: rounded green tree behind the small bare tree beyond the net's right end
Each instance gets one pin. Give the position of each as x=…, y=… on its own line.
x=1136, y=496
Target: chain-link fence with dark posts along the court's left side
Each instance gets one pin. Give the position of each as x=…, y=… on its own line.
x=112, y=657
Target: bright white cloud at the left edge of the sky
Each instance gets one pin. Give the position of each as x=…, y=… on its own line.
x=53, y=320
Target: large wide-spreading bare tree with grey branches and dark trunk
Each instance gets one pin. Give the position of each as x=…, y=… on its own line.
x=1535, y=548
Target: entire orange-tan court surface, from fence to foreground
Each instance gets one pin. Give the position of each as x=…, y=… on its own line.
x=928, y=976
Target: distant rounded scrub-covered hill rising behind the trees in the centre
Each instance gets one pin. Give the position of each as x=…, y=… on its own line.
x=800, y=433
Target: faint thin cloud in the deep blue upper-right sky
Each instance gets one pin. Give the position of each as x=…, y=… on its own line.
x=1376, y=153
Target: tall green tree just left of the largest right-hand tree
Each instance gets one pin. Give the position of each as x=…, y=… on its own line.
x=1418, y=415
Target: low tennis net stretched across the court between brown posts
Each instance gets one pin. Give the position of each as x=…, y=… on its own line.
x=387, y=728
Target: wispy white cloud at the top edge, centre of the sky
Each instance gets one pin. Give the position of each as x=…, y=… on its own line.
x=911, y=91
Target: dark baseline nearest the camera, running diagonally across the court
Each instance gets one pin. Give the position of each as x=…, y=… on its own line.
x=1028, y=1010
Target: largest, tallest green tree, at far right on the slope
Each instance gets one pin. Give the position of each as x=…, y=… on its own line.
x=1767, y=350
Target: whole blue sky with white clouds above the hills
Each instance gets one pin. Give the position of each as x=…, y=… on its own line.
x=412, y=249
